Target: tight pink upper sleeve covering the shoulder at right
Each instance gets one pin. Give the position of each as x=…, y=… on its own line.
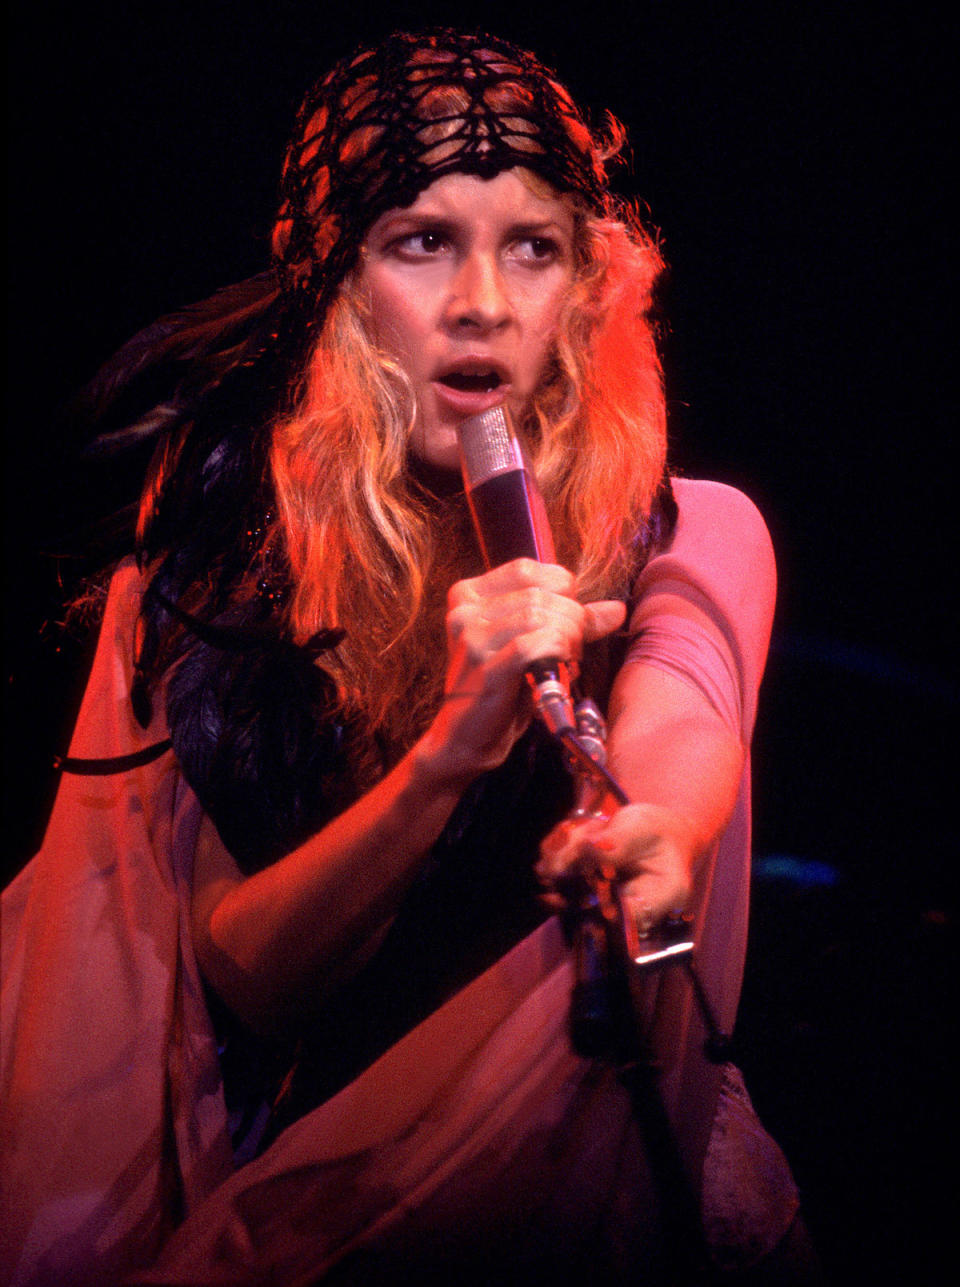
x=706, y=606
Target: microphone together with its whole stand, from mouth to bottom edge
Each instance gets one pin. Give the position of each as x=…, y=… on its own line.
x=607, y=1019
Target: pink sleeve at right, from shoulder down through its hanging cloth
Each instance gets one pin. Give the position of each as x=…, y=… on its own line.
x=703, y=613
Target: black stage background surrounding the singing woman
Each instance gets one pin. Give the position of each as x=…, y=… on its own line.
x=793, y=158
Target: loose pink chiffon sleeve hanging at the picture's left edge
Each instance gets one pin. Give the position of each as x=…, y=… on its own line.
x=111, y=1091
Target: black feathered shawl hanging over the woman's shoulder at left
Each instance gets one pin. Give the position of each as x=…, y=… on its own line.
x=253, y=720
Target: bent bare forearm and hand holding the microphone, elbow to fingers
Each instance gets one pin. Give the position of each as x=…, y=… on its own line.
x=295, y=932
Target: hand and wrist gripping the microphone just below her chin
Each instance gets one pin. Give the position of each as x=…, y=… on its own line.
x=497, y=627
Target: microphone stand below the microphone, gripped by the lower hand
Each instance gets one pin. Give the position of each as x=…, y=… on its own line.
x=608, y=1019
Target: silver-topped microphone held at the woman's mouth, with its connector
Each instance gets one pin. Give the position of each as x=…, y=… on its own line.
x=512, y=523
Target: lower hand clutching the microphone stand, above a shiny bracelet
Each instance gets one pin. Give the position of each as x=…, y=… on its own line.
x=651, y=850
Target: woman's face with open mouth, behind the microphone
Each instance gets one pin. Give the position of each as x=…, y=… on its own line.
x=465, y=290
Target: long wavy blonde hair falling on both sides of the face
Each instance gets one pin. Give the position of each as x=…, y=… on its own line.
x=374, y=551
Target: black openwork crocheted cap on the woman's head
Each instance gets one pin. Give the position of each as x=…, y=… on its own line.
x=388, y=122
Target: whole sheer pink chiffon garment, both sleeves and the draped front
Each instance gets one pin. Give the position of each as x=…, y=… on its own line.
x=478, y=1149
